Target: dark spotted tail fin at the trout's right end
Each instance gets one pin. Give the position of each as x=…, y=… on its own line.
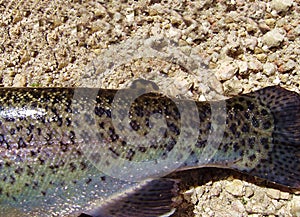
x=282, y=164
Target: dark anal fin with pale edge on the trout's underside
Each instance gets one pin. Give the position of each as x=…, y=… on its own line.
x=150, y=199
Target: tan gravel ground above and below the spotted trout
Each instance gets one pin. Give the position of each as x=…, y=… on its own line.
x=241, y=45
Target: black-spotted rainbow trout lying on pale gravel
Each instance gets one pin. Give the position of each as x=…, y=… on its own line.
x=78, y=152
